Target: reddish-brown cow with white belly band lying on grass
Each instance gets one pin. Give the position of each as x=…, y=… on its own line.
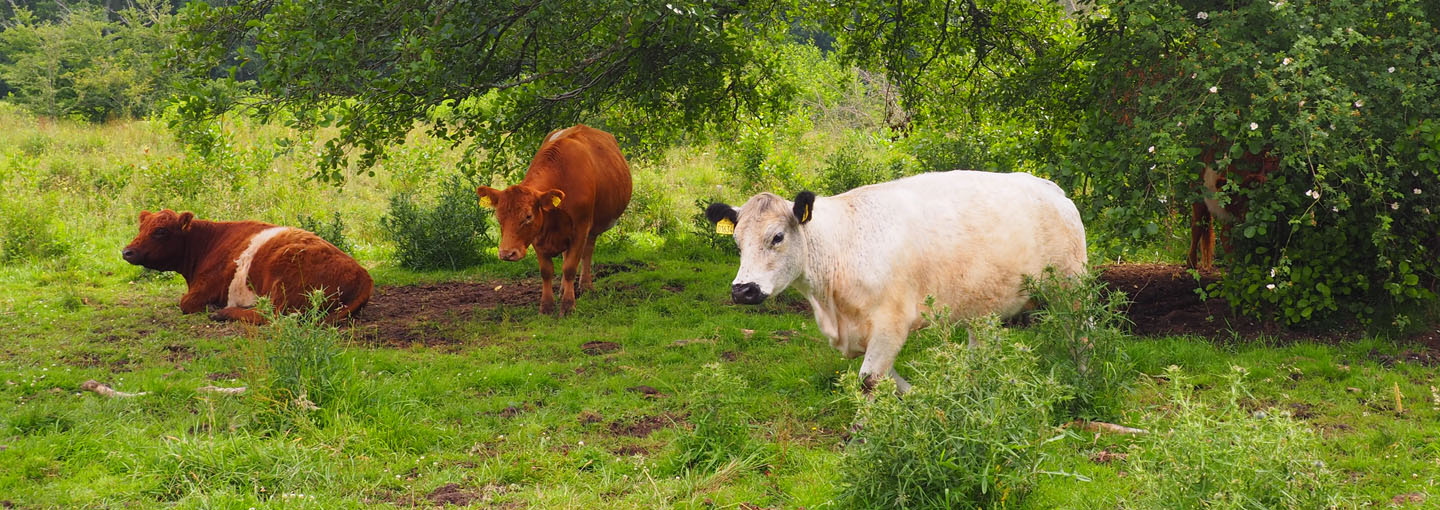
x=230, y=264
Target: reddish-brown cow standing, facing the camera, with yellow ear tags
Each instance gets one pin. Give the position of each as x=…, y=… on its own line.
x=577, y=188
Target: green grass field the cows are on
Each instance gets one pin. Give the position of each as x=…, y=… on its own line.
x=515, y=410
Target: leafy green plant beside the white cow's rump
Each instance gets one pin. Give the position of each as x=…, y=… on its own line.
x=1079, y=332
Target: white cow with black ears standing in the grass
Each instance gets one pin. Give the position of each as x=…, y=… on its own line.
x=868, y=259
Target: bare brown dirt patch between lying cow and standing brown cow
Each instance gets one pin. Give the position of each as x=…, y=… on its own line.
x=401, y=316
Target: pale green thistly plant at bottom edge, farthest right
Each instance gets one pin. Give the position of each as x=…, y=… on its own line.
x=1225, y=457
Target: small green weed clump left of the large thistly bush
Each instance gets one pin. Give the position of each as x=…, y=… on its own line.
x=722, y=424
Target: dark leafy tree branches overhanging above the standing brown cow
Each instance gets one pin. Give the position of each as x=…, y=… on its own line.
x=499, y=73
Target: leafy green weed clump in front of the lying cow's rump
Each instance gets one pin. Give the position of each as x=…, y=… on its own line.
x=305, y=361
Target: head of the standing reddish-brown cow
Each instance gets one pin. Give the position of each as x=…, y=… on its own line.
x=522, y=214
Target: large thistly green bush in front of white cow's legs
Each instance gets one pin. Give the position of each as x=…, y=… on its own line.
x=967, y=436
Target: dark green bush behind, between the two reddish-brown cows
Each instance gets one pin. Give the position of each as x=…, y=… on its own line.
x=447, y=236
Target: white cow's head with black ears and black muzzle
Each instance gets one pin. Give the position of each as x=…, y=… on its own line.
x=773, y=249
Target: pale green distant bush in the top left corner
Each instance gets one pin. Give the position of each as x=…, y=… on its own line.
x=87, y=66
